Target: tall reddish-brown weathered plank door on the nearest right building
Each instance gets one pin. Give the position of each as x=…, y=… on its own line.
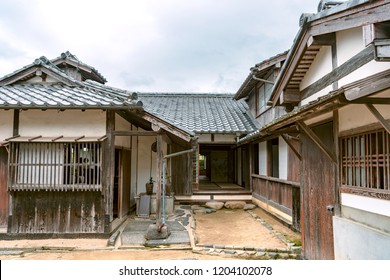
x=318, y=191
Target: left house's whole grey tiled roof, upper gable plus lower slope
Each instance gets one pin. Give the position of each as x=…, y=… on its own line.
x=67, y=93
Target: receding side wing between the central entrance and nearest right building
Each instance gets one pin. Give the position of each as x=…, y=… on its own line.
x=274, y=161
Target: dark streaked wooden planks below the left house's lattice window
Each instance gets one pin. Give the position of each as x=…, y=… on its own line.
x=57, y=212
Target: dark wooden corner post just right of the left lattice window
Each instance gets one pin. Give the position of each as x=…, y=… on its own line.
x=109, y=170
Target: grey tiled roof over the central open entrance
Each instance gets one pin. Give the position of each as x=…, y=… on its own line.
x=200, y=113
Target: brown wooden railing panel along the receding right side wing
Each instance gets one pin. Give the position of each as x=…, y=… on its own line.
x=278, y=193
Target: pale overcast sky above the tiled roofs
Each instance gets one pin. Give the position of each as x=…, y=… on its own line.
x=153, y=45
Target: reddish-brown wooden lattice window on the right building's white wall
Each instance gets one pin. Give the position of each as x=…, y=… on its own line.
x=366, y=160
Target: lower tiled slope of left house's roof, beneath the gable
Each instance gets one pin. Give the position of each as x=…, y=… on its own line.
x=46, y=96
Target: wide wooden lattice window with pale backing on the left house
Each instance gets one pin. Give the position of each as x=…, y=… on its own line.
x=55, y=166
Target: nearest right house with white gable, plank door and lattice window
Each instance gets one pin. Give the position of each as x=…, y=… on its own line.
x=335, y=87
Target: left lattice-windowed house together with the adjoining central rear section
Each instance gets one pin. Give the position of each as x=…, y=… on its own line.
x=76, y=154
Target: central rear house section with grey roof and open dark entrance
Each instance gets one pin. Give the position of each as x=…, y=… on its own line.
x=216, y=121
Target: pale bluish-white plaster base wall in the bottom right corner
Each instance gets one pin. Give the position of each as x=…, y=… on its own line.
x=365, y=243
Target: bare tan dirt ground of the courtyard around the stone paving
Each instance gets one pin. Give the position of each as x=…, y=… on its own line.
x=228, y=227
